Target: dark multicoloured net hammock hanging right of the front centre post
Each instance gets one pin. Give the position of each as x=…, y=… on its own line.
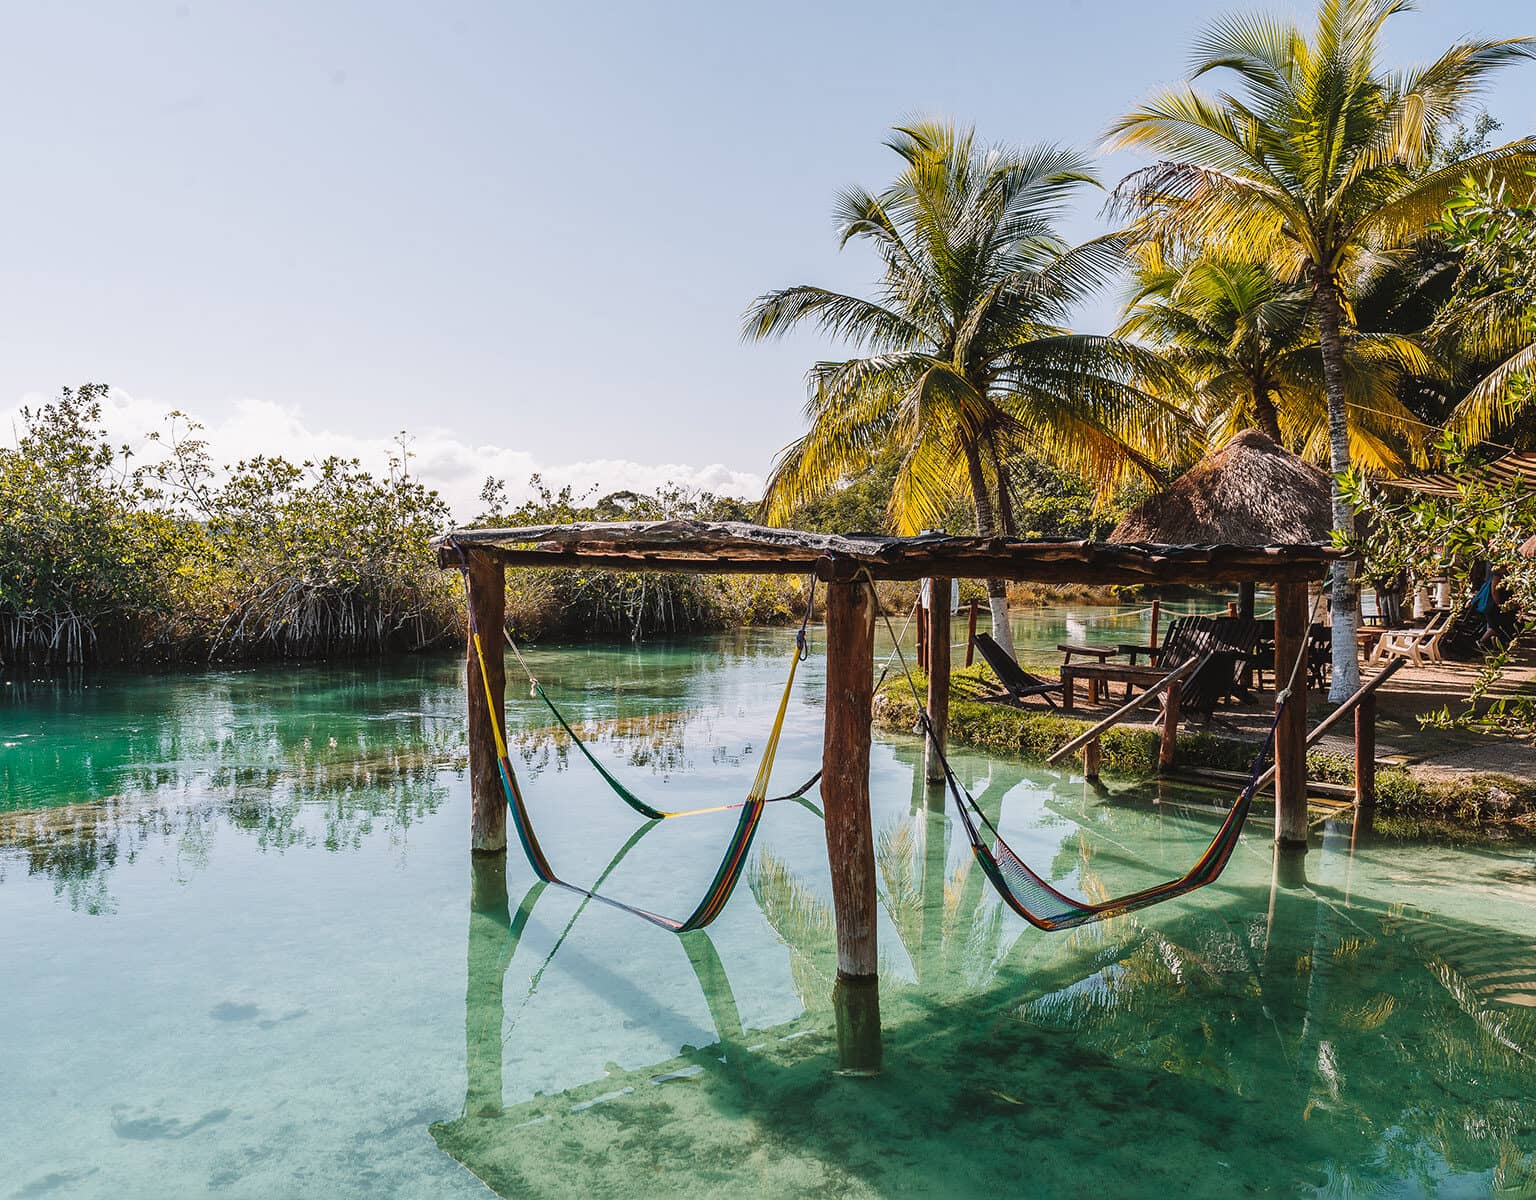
x=1028, y=893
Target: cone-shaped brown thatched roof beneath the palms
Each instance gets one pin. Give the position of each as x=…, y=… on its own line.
x=1251, y=492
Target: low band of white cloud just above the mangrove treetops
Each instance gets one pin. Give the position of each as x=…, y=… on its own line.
x=442, y=459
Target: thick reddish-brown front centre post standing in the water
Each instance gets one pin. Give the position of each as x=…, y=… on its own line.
x=850, y=840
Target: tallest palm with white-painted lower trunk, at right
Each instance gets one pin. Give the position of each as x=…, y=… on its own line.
x=1322, y=167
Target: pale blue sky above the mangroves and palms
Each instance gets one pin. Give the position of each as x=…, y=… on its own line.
x=525, y=233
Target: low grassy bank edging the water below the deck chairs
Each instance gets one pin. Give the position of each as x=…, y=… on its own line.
x=1130, y=751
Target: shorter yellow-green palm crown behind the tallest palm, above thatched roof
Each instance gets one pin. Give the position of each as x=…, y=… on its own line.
x=1248, y=348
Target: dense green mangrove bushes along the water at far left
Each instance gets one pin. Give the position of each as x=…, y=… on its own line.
x=105, y=560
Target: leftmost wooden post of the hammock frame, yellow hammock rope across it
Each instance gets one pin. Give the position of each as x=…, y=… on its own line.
x=488, y=801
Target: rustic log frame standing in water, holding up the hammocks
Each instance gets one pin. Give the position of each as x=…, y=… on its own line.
x=849, y=565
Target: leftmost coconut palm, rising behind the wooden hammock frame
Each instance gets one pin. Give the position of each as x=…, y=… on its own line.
x=967, y=353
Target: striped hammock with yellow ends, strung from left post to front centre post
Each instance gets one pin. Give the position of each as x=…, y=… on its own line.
x=735, y=860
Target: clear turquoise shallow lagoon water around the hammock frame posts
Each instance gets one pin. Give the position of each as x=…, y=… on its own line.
x=247, y=953
